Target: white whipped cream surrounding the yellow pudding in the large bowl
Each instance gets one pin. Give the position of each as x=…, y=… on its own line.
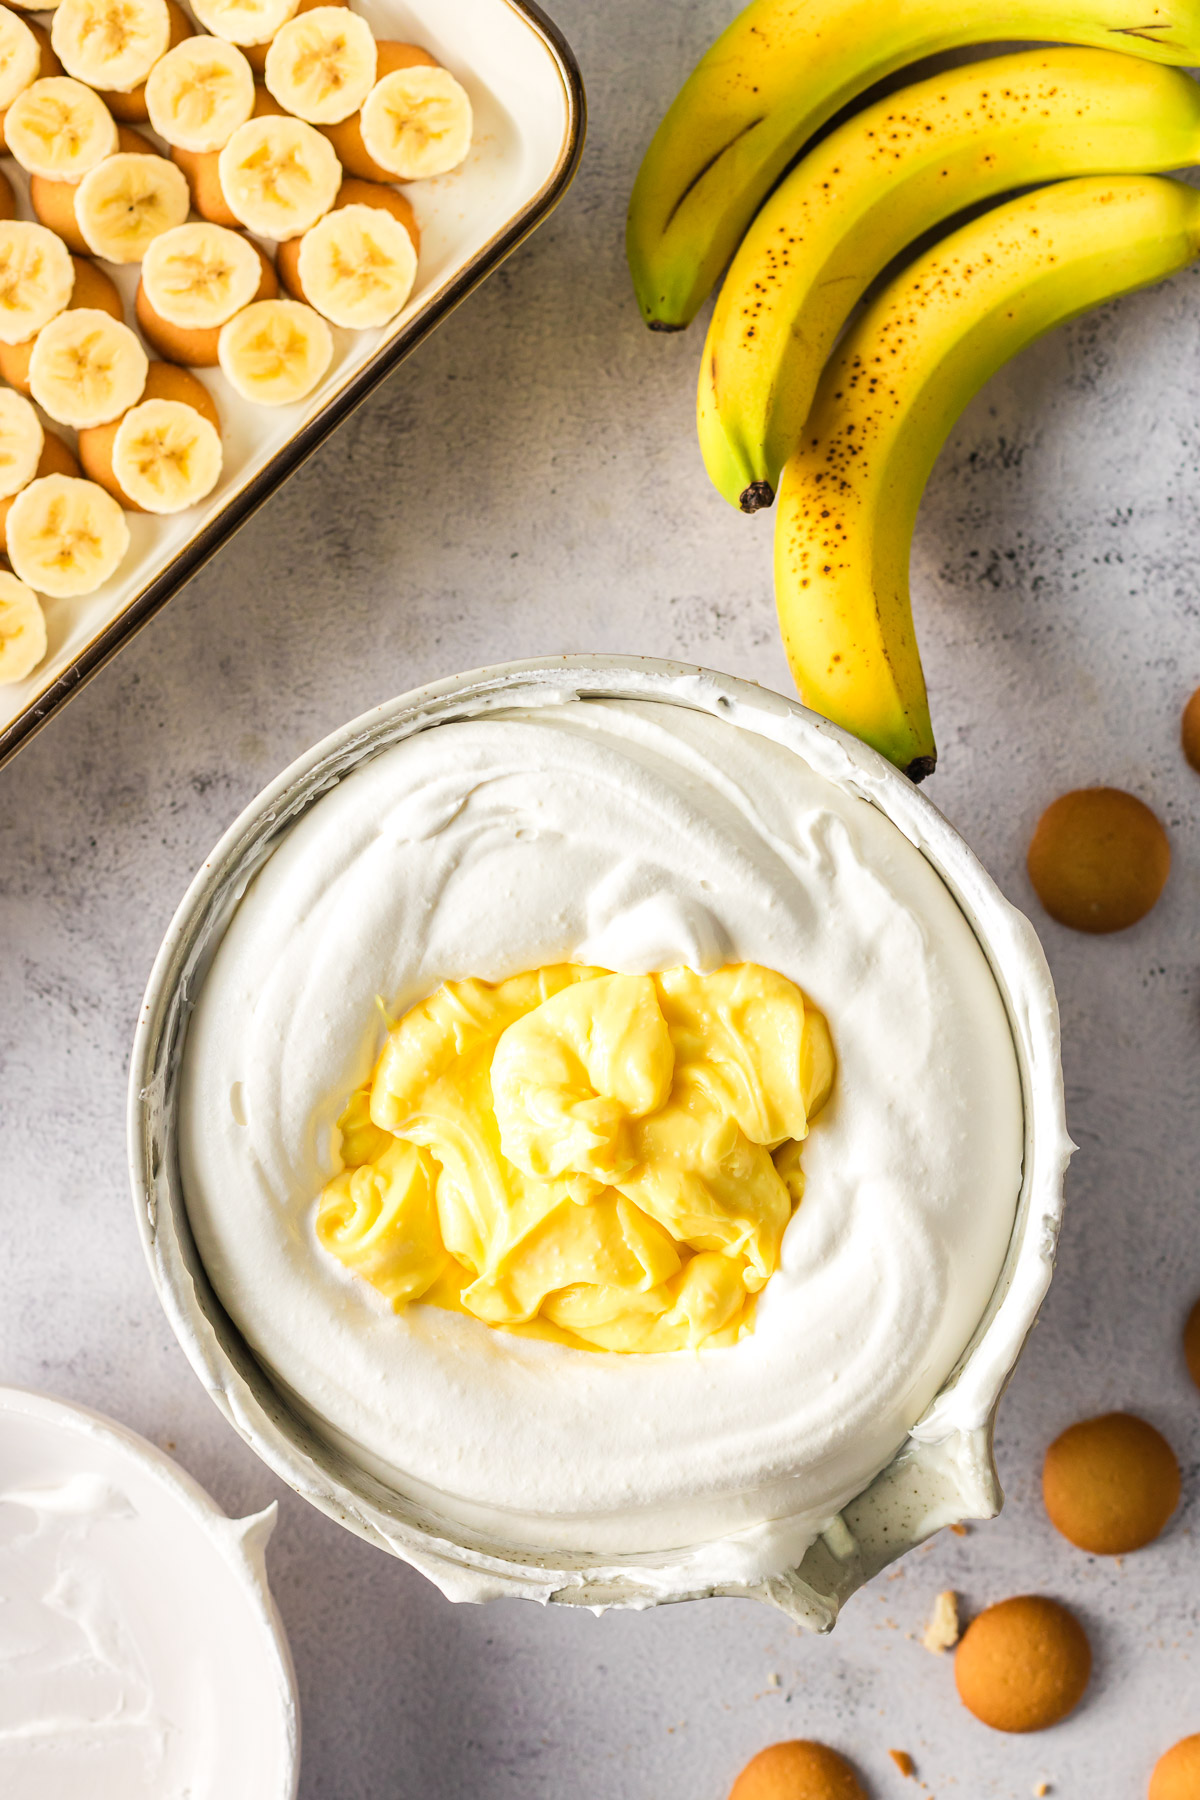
x=634, y=836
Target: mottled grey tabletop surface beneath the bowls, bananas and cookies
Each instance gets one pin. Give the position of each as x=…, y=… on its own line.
x=526, y=485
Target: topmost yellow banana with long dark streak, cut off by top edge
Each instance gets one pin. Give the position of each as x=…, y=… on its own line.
x=784, y=69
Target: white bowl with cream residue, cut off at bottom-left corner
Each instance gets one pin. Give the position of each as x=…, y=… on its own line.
x=139, y=1651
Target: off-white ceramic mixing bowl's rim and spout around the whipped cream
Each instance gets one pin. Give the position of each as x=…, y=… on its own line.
x=945, y=1470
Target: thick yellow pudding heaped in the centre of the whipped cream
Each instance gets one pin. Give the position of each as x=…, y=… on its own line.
x=595, y=1158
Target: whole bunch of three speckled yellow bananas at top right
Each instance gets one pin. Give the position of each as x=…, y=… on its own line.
x=859, y=442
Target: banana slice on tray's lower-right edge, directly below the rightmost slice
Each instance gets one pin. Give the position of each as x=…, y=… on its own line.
x=357, y=267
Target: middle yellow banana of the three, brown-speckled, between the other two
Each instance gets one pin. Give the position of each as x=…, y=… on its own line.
x=873, y=188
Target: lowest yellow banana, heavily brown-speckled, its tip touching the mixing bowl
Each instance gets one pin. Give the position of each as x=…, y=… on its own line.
x=886, y=404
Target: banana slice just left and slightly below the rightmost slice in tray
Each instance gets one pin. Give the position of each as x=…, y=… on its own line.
x=280, y=175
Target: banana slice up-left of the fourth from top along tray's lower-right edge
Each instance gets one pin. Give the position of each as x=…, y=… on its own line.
x=85, y=368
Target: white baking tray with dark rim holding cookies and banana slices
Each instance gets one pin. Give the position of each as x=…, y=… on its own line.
x=530, y=116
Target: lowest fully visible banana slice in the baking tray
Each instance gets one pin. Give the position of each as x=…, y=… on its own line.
x=66, y=535
